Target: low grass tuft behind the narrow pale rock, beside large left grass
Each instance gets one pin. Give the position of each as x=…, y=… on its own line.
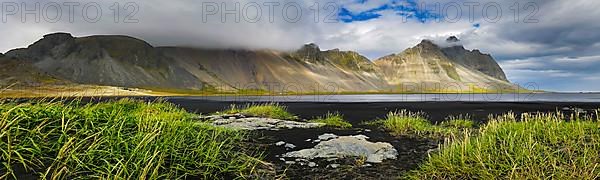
x=269, y=110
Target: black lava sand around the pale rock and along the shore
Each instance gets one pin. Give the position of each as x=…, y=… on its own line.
x=412, y=151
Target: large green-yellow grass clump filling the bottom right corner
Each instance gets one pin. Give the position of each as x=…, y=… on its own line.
x=537, y=147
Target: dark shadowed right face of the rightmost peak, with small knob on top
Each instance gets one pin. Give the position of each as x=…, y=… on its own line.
x=474, y=59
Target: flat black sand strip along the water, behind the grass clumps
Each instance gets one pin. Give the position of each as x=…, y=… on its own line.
x=436, y=111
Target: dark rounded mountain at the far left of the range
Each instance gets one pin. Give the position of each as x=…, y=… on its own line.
x=105, y=60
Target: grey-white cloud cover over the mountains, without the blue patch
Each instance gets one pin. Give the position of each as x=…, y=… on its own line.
x=565, y=29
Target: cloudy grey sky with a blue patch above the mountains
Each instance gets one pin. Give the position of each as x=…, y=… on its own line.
x=553, y=44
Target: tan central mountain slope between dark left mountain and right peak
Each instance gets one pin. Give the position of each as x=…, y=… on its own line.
x=307, y=70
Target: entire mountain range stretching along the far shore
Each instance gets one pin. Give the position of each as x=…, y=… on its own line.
x=129, y=62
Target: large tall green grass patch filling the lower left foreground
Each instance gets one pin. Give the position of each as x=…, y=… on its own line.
x=123, y=139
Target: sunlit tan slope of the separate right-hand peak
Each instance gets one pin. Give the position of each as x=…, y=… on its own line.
x=425, y=68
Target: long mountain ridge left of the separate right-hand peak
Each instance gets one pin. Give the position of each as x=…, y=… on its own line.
x=129, y=62
